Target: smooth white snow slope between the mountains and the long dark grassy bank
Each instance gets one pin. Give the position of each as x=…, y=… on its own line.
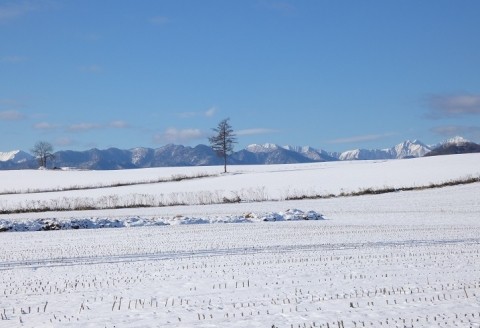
x=250, y=183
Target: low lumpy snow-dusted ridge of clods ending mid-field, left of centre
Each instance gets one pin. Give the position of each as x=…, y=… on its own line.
x=138, y=221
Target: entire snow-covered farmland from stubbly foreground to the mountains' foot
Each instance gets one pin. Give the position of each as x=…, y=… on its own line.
x=401, y=259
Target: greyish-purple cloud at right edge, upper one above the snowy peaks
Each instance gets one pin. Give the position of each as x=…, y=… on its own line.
x=450, y=106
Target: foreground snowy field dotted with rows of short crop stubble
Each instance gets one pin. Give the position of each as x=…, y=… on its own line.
x=305, y=274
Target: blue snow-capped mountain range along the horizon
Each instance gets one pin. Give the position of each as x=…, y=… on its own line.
x=178, y=155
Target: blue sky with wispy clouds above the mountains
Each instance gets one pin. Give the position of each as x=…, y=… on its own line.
x=335, y=75
